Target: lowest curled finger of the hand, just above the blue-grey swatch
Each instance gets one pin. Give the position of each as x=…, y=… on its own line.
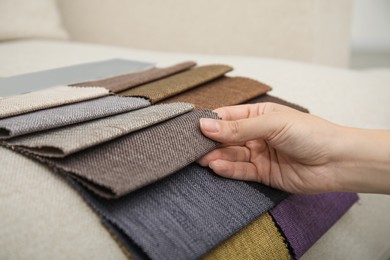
x=235, y=170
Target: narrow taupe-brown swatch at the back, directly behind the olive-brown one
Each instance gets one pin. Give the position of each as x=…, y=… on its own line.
x=130, y=80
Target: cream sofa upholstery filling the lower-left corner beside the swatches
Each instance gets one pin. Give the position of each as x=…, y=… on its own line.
x=42, y=217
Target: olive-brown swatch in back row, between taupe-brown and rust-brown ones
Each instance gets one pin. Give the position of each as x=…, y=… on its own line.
x=162, y=89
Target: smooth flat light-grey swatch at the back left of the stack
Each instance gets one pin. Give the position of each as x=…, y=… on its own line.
x=34, y=81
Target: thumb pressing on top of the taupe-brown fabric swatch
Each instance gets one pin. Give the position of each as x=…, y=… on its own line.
x=265, y=127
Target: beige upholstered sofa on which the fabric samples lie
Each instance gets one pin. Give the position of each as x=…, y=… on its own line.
x=43, y=218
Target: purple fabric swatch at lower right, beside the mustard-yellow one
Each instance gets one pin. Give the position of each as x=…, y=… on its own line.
x=303, y=219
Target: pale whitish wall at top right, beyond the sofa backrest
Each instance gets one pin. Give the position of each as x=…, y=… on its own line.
x=371, y=25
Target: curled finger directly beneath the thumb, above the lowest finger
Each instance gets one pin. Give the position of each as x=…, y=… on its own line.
x=231, y=153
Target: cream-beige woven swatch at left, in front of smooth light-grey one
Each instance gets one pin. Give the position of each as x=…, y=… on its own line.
x=51, y=97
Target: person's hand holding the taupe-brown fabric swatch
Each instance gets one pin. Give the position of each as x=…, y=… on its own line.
x=283, y=148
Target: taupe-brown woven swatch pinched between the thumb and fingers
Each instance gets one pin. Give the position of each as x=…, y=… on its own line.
x=130, y=162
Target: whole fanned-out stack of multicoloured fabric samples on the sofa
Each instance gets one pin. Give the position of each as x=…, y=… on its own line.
x=128, y=144
